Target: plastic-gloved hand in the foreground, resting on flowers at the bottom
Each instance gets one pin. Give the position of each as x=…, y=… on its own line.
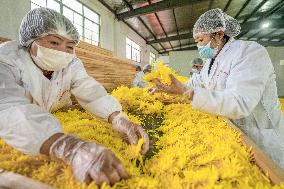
x=89, y=160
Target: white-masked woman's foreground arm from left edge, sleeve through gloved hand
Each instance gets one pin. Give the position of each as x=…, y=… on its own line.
x=33, y=130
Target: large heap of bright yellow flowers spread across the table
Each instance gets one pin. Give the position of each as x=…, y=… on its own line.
x=195, y=149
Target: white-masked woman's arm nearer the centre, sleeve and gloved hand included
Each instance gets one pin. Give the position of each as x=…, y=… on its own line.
x=93, y=97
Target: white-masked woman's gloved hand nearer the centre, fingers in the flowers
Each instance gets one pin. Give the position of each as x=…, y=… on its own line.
x=131, y=131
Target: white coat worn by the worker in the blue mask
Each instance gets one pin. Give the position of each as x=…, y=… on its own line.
x=242, y=87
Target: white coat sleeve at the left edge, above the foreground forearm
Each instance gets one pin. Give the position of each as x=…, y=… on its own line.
x=23, y=125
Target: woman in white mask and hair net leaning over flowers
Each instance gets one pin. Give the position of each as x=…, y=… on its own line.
x=37, y=76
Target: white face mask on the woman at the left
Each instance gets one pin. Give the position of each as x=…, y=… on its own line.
x=50, y=59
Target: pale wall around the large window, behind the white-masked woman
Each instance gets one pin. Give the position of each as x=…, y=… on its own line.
x=113, y=33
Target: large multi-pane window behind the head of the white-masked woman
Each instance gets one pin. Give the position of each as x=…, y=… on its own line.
x=84, y=19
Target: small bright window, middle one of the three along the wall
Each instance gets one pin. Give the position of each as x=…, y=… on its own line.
x=133, y=51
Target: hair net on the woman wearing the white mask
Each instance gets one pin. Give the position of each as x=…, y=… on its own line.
x=43, y=21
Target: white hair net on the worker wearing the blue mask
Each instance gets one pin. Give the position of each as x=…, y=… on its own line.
x=216, y=20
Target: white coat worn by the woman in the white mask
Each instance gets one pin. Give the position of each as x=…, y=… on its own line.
x=27, y=97
